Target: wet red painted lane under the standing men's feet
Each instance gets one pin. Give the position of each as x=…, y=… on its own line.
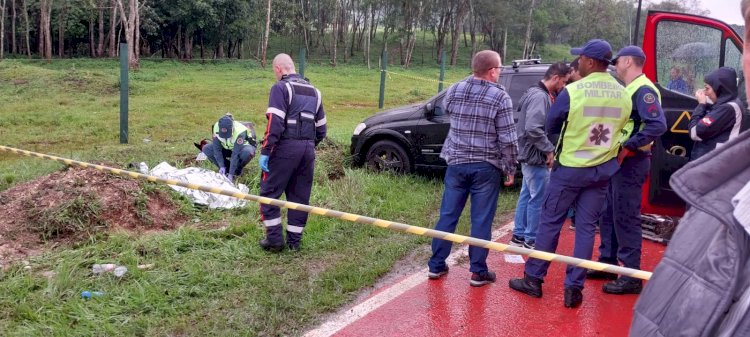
x=450, y=307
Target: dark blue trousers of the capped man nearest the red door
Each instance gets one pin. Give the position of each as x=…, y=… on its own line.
x=620, y=227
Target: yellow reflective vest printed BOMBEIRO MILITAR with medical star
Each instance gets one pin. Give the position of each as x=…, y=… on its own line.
x=599, y=110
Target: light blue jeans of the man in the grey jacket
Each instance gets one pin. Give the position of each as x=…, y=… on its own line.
x=529, y=207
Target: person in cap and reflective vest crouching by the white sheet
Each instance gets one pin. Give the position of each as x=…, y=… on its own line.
x=232, y=148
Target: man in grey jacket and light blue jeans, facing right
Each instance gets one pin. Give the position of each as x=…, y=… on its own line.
x=536, y=152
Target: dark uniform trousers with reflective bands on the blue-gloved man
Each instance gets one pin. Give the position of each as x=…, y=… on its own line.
x=292, y=166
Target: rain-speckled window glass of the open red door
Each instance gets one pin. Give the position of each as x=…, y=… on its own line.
x=684, y=54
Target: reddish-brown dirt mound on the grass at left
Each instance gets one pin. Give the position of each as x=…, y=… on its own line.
x=74, y=204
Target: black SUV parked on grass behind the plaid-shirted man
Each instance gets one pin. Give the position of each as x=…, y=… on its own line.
x=411, y=137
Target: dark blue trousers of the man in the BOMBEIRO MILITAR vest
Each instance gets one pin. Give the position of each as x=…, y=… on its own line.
x=585, y=188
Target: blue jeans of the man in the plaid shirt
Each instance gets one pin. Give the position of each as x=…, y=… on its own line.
x=482, y=182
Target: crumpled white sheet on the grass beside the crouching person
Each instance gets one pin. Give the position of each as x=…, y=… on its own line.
x=199, y=176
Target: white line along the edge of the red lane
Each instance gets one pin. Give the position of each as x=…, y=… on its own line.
x=352, y=315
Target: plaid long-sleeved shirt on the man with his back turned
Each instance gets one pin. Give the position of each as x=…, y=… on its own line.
x=482, y=126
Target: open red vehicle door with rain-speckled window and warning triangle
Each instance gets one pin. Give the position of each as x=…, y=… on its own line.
x=681, y=49
